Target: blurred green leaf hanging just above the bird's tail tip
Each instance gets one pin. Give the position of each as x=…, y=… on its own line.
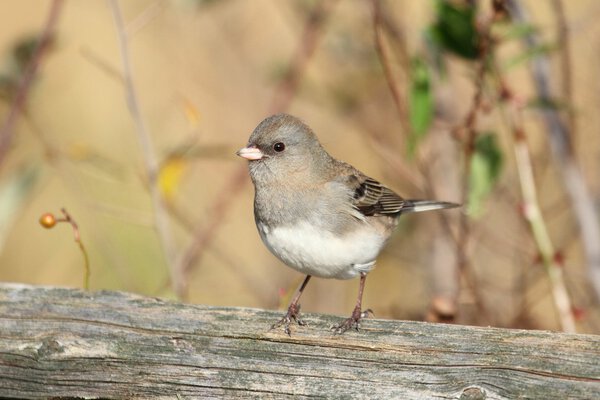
x=486, y=165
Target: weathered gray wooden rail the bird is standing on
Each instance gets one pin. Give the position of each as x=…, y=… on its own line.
x=72, y=344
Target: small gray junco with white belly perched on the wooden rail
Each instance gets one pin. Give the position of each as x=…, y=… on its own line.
x=319, y=215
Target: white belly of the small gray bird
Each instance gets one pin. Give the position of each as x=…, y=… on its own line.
x=321, y=253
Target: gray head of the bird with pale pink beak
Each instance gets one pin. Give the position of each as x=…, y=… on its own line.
x=282, y=146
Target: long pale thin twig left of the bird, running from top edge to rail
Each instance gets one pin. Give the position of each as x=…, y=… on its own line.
x=150, y=160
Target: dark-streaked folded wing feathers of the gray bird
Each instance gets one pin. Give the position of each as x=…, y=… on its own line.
x=372, y=198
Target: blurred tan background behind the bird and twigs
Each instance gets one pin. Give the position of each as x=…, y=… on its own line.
x=206, y=73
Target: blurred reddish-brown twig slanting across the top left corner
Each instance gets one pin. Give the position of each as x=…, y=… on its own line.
x=7, y=130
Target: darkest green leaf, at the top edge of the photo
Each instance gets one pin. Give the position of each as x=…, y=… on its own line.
x=454, y=29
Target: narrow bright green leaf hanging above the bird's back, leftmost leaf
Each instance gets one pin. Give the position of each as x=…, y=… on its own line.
x=420, y=103
